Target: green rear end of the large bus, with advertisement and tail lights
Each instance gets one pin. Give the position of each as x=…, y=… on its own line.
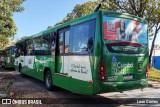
x=123, y=63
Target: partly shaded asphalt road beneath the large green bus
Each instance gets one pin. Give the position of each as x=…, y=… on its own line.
x=31, y=88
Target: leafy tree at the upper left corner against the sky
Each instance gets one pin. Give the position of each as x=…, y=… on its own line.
x=7, y=26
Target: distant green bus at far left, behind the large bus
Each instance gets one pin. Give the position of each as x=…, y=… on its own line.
x=8, y=55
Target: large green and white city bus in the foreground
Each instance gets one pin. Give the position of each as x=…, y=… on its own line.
x=101, y=52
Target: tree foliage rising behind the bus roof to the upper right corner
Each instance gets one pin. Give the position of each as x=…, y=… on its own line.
x=147, y=9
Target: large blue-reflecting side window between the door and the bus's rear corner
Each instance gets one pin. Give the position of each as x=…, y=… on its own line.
x=82, y=38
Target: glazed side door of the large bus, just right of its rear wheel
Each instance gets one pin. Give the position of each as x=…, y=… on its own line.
x=62, y=60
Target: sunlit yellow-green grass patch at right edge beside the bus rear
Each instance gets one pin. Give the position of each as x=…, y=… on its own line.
x=154, y=74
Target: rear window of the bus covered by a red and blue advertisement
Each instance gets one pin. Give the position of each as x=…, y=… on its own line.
x=125, y=30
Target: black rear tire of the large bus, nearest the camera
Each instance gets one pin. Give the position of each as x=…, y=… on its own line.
x=48, y=81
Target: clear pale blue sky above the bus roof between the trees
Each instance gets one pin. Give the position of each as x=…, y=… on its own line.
x=39, y=14
